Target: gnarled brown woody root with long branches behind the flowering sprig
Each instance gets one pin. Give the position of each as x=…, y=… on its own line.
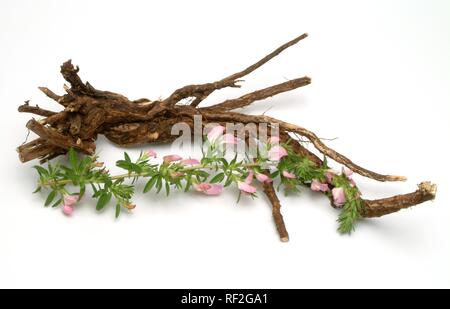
x=87, y=112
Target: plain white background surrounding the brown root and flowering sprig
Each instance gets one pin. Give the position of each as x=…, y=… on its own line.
x=380, y=71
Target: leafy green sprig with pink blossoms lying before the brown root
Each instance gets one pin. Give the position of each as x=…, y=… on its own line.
x=209, y=175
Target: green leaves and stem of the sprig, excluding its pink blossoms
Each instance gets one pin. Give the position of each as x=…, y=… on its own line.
x=213, y=168
